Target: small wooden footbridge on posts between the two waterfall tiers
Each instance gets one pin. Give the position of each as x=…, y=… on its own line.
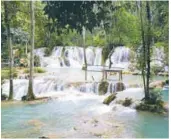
x=105, y=69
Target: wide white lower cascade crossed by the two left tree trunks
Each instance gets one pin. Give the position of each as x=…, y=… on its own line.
x=40, y=87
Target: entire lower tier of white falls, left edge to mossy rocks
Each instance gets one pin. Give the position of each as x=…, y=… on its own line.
x=47, y=86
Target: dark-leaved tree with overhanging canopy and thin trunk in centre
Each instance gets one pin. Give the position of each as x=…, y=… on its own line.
x=78, y=15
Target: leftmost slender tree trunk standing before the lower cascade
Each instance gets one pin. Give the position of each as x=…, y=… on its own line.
x=9, y=41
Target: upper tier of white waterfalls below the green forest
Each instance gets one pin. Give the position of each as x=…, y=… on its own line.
x=72, y=56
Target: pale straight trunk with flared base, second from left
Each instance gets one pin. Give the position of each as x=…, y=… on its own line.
x=30, y=94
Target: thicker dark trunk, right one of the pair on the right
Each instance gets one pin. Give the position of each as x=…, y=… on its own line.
x=148, y=45
